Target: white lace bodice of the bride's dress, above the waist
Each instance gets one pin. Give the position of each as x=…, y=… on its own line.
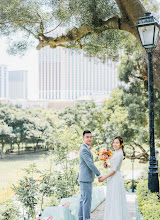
x=116, y=160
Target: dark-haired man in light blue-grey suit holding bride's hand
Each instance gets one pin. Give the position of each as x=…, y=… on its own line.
x=87, y=172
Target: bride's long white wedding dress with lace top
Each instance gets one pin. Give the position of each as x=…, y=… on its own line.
x=116, y=204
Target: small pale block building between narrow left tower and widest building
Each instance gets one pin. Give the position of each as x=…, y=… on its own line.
x=18, y=84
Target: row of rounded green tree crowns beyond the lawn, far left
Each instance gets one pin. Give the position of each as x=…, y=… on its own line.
x=25, y=126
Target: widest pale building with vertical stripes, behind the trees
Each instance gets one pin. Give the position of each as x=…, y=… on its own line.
x=69, y=74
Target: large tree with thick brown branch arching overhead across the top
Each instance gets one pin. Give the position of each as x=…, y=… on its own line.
x=98, y=26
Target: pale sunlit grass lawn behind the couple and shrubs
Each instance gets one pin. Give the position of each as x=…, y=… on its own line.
x=12, y=165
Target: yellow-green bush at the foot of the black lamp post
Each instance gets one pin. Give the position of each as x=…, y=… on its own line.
x=148, y=203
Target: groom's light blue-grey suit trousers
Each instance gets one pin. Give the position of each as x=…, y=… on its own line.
x=85, y=201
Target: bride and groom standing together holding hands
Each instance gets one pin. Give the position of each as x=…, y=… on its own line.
x=116, y=204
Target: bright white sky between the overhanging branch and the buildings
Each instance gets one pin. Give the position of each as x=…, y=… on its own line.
x=28, y=62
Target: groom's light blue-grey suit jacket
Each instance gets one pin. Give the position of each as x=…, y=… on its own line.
x=87, y=169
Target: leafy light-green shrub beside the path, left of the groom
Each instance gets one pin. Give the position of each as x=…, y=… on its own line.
x=46, y=187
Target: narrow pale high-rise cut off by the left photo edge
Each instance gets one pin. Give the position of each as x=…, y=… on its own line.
x=3, y=81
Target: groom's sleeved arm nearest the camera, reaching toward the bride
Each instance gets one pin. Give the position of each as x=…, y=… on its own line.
x=88, y=160
